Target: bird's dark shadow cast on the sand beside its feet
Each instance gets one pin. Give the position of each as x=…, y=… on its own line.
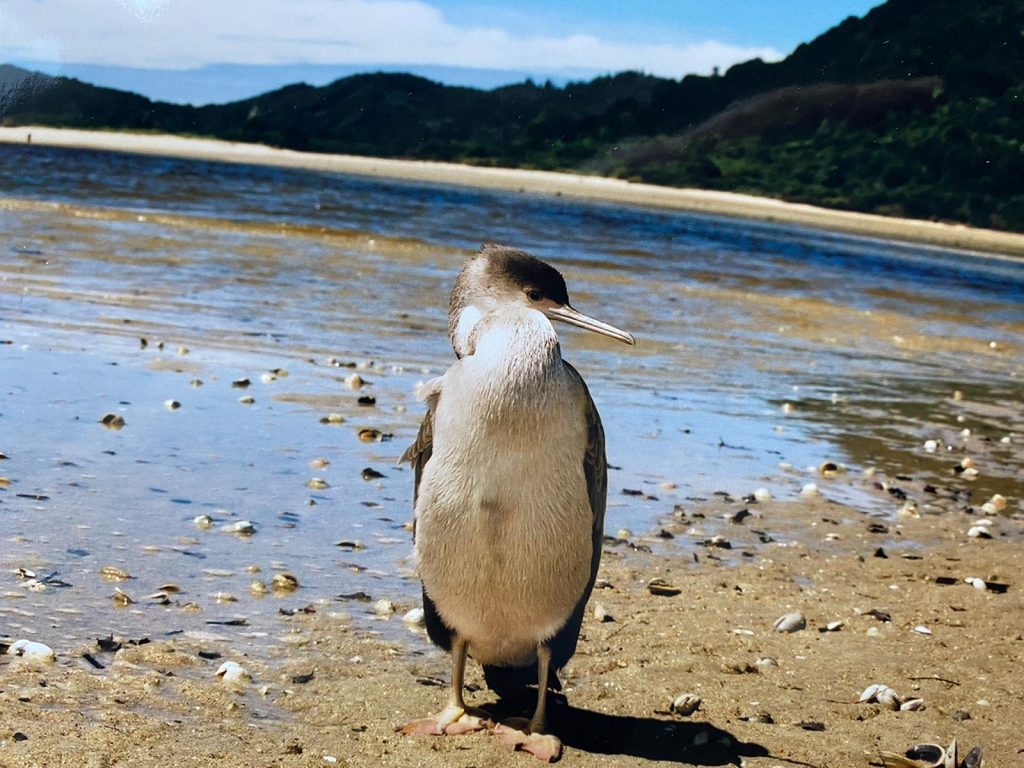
x=648, y=738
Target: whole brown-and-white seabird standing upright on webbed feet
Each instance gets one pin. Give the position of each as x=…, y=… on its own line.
x=510, y=492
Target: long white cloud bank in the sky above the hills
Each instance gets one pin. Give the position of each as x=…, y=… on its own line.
x=184, y=34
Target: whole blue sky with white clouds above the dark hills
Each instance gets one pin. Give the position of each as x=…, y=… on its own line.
x=146, y=42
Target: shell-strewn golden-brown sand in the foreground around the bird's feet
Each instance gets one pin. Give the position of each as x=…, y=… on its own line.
x=333, y=696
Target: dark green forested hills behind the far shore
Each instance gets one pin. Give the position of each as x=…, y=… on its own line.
x=917, y=109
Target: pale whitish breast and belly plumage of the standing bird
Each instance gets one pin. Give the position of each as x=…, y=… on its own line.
x=503, y=518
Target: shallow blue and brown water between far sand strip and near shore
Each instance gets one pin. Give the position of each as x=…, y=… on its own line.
x=758, y=346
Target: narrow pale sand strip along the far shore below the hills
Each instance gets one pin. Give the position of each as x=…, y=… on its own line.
x=544, y=183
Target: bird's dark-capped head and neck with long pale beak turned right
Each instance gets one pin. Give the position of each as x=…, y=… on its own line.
x=500, y=277
